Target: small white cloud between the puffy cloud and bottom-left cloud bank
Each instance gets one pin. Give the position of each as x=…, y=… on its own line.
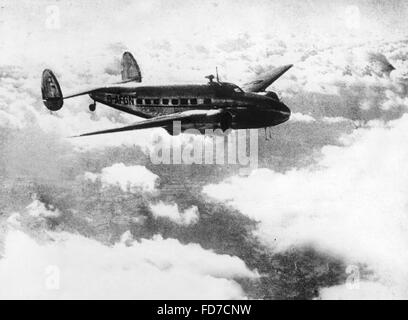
x=171, y=211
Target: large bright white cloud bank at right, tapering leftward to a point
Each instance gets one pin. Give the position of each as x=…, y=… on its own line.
x=353, y=203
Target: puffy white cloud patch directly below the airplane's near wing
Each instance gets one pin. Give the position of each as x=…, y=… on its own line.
x=128, y=178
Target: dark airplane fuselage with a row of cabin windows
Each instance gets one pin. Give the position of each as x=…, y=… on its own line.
x=246, y=110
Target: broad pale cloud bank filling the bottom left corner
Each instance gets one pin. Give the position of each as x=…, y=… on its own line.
x=75, y=267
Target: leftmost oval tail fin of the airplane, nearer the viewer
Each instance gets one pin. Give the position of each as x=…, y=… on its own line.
x=51, y=91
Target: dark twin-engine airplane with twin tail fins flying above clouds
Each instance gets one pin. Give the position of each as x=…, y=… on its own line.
x=215, y=105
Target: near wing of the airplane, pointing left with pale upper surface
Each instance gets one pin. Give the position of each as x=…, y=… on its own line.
x=191, y=116
